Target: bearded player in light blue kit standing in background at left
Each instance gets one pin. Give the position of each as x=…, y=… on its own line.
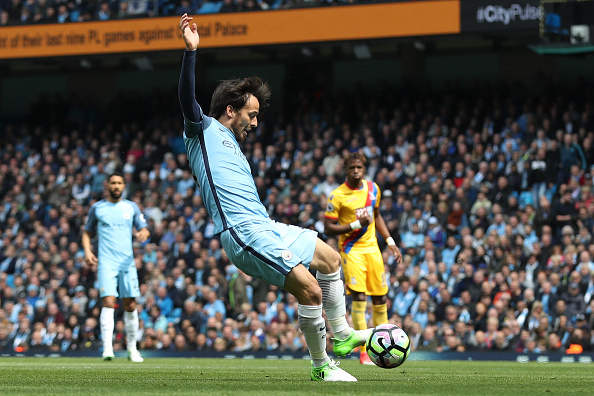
x=113, y=219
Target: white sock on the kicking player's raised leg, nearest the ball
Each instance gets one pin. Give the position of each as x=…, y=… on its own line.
x=334, y=304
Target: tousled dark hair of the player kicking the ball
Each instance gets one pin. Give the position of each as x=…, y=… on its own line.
x=236, y=93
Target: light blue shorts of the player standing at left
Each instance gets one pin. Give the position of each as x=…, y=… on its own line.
x=111, y=279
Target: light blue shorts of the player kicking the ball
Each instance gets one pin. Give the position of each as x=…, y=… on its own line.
x=269, y=250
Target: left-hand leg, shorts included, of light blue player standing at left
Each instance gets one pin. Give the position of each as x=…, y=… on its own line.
x=107, y=280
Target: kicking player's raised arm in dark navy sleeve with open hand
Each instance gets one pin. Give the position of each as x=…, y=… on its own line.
x=187, y=82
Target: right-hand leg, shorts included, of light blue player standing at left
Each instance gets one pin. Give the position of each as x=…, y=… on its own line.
x=129, y=291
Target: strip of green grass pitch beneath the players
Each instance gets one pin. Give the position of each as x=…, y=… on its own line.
x=81, y=376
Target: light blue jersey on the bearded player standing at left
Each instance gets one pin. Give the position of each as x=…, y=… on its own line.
x=113, y=223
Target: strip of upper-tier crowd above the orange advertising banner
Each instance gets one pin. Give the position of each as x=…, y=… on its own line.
x=23, y=12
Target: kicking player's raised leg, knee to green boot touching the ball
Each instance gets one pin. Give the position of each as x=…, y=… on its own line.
x=327, y=264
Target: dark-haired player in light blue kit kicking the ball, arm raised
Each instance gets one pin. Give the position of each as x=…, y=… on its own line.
x=277, y=253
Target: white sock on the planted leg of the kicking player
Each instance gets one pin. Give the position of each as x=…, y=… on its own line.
x=313, y=326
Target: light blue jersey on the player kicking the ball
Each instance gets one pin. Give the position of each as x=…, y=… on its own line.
x=223, y=174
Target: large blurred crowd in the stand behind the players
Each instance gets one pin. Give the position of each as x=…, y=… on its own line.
x=488, y=190
